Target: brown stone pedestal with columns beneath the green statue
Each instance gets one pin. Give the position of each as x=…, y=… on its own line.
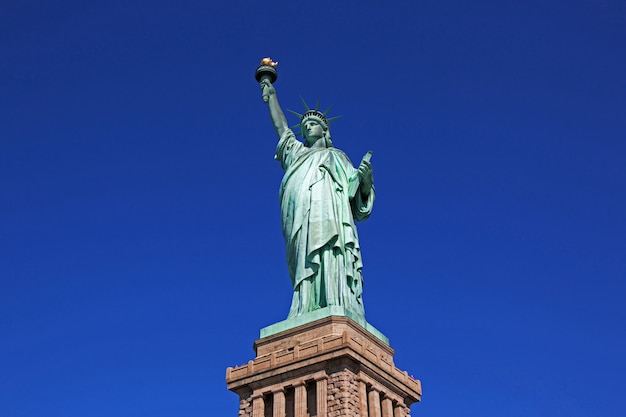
x=329, y=367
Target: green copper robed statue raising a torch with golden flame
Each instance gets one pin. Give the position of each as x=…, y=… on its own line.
x=321, y=196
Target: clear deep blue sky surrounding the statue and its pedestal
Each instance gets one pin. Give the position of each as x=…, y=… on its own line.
x=140, y=243
